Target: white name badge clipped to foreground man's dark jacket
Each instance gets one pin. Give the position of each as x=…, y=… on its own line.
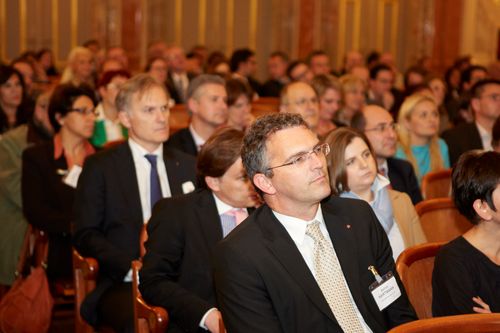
x=385, y=289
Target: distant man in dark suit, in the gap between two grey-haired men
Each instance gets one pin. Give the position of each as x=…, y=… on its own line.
x=178, y=78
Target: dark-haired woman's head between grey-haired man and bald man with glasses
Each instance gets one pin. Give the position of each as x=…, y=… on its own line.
x=239, y=99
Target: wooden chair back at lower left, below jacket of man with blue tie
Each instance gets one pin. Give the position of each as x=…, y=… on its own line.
x=85, y=272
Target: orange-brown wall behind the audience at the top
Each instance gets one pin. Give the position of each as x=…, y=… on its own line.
x=405, y=28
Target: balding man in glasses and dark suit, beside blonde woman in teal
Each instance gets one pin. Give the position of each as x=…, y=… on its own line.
x=379, y=127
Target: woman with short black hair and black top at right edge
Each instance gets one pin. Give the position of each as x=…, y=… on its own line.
x=466, y=275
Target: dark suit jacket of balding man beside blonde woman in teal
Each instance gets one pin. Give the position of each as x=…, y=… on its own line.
x=403, y=179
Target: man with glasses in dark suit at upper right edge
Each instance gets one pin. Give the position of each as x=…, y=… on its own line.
x=485, y=104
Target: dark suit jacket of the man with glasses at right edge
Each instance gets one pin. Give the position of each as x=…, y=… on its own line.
x=462, y=138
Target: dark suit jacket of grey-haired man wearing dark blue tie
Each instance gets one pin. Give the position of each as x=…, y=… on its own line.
x=109, y=214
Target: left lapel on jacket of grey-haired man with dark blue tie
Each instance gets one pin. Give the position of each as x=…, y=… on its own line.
x=125, y=168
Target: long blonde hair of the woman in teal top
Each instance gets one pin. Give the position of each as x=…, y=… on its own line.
x=404, y=134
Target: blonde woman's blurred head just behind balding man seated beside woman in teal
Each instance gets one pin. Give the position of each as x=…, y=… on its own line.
x=353, y=91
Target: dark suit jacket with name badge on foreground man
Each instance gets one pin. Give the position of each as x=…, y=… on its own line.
x=264, y=285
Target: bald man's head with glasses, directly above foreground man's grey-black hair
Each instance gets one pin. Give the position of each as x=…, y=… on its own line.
x=300, y=98
